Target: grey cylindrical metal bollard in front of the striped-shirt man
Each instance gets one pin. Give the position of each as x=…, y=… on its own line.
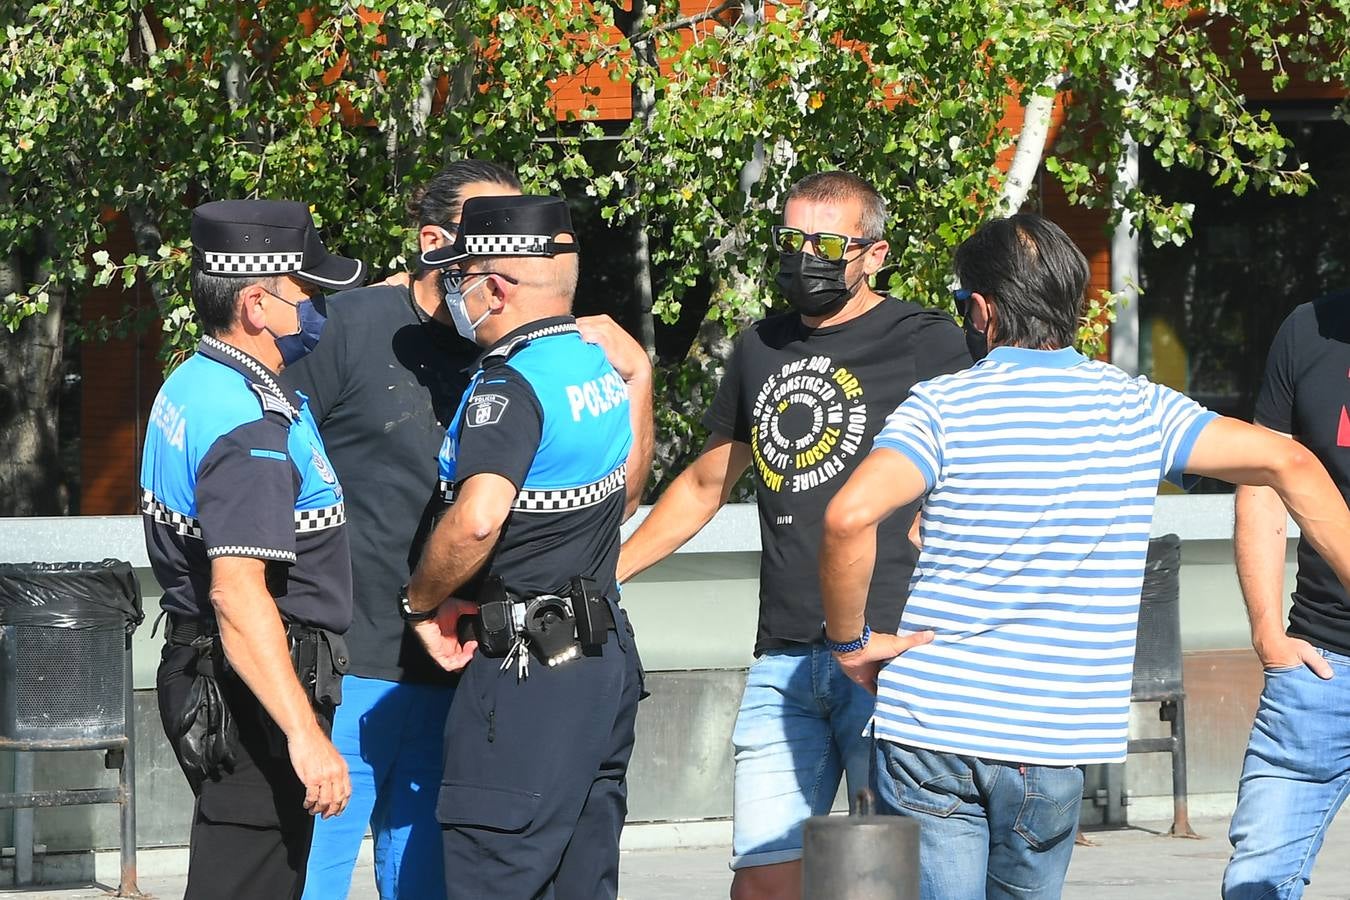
x=861, y=857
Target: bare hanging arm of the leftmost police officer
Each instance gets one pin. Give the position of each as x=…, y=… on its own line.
x=256, y=646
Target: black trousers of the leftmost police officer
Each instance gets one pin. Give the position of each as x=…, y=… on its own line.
x=250, y=832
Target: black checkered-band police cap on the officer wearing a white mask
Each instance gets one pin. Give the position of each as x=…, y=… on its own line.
x=520, y=226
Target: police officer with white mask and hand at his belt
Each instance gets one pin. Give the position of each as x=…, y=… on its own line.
x=541, y=731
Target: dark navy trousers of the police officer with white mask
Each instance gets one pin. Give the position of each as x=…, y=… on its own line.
x=534, y=795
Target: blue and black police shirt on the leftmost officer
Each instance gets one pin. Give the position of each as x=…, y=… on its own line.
x=234, y=468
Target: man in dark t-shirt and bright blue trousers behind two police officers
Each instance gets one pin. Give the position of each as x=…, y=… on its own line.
x=384, y=384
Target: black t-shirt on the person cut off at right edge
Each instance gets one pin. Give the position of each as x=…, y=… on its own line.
x=1307, y=395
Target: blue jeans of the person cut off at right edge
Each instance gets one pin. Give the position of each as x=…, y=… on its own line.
x=1295, y=777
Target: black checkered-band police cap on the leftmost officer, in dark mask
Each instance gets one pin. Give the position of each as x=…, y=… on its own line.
x=244, y=238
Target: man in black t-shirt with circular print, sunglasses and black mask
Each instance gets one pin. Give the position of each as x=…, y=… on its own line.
x=801, y=400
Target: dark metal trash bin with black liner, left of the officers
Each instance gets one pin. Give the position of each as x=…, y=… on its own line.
x=65, y=685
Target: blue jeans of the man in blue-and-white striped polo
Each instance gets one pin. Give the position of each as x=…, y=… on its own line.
x=988, y=829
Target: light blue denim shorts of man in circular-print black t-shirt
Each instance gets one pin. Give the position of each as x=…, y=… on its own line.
x=799, y=732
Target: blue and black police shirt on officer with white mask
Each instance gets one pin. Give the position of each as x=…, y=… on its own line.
x=549, y=414
